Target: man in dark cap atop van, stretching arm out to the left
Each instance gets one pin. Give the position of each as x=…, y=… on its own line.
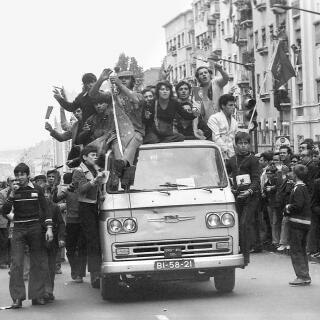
x=82, y=101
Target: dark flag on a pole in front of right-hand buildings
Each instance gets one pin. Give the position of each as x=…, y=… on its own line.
x=280, y=66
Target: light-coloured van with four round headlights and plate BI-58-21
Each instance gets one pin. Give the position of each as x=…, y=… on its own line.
x=177, y=221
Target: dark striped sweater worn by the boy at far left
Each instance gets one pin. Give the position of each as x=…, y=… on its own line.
x=29, y=203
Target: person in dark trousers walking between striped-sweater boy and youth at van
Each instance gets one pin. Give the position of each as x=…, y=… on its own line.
x=75, y=241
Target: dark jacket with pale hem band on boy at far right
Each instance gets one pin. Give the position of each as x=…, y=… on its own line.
x=299, y=207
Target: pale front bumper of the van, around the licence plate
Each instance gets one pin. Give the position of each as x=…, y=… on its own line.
x=147, y=266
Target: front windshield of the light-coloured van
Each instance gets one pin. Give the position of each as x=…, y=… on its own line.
x=184, y=167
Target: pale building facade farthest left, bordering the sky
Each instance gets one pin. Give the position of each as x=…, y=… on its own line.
x=179, y=44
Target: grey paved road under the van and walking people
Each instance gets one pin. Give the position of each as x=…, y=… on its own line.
x=262, y=292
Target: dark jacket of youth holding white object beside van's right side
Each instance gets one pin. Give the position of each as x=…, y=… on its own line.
x=245, y=164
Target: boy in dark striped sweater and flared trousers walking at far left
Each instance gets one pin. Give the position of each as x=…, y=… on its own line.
x=31, y=212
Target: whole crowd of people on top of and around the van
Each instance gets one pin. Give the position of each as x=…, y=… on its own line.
x=272, y=190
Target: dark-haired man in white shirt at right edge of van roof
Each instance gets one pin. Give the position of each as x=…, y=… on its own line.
x=224, y=126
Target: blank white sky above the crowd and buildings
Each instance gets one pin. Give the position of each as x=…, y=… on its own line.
x=46, y=43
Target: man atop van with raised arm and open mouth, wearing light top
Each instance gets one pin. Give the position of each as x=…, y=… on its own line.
x=210, y=89
